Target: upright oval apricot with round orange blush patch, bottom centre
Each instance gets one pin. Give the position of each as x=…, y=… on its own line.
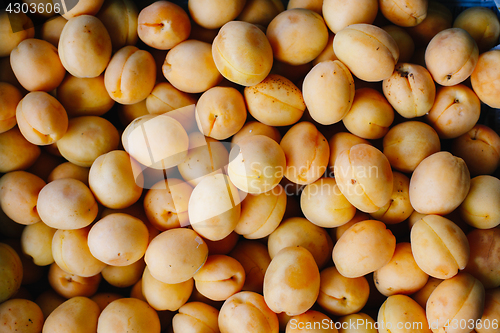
x=284, y=287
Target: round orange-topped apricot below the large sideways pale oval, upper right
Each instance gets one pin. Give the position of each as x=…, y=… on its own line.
x=370, y=115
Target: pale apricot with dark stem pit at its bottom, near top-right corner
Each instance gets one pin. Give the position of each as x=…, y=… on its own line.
x=451, y=56
